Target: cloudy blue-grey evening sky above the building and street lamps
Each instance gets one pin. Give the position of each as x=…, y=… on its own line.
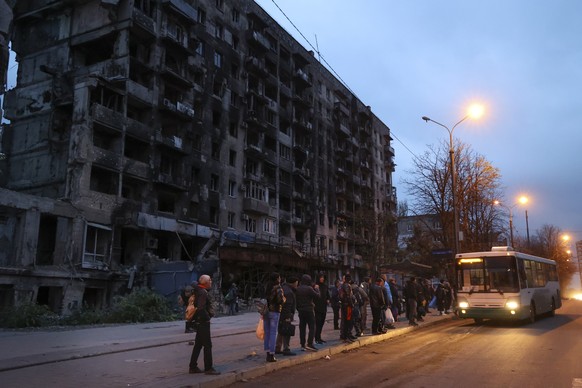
x=521, y=58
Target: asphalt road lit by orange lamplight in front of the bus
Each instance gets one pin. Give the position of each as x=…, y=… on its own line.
x=457, y=353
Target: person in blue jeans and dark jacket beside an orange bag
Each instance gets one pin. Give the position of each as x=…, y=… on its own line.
x=275, y=299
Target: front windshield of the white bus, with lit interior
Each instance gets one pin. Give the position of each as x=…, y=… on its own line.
x=488, y=274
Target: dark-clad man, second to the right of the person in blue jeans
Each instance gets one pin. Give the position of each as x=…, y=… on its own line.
x=306, y=295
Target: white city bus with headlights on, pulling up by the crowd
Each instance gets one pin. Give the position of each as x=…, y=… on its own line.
x=503, y=284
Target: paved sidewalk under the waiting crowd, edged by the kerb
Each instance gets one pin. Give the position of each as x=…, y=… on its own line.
x=238, y=354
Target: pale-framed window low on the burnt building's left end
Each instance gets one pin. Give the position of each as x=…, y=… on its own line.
x=96, y=246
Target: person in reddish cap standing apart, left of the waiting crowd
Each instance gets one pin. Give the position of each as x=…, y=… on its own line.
x=204, y=312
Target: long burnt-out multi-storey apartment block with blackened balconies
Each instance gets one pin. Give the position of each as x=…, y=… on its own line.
x=150, y=141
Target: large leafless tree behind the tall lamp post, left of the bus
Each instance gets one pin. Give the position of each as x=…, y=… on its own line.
x=478, y=186
